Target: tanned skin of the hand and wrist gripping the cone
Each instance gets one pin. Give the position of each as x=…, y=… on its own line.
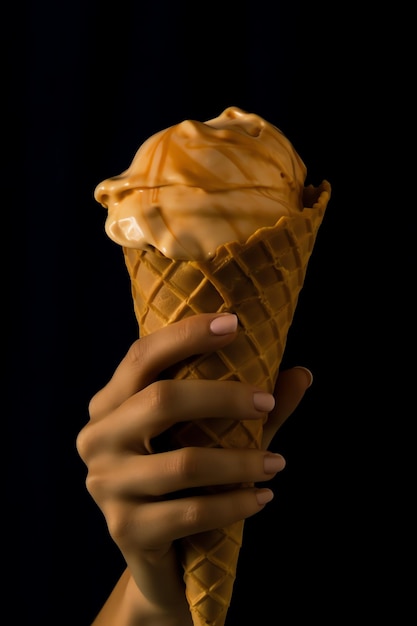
x=131, y=484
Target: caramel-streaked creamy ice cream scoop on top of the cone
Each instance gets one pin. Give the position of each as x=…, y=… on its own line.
x=197, y=185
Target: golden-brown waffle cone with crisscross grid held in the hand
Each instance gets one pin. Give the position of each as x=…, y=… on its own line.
x=260, y=281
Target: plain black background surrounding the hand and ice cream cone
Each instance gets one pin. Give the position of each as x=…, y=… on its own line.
x=90, y=81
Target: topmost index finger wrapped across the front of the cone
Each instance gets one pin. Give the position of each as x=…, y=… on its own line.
x=150, y=355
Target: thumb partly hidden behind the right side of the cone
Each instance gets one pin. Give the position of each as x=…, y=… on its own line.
x=289, y=391
